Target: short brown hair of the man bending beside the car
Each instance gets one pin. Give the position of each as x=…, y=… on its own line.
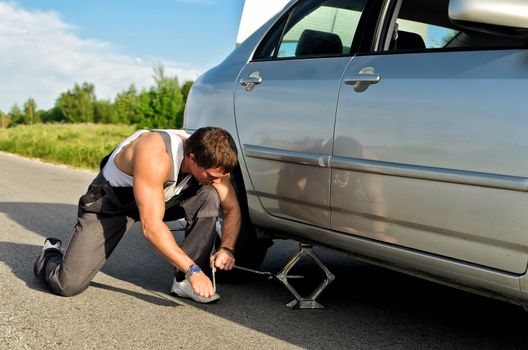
x=212, y=148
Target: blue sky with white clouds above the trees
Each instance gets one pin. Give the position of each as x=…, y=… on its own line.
x=48, y=45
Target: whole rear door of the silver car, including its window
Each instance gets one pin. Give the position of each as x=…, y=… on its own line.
x=285, y=106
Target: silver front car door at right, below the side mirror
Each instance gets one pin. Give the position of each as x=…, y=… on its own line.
x=430, y=145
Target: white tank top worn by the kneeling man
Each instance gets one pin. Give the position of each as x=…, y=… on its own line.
x=174, y=146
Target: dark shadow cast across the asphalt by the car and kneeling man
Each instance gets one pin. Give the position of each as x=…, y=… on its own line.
x=367, y=307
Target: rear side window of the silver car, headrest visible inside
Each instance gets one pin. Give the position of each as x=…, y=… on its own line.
x=314, y=29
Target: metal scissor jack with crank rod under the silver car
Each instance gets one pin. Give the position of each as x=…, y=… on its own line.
x=299, y=302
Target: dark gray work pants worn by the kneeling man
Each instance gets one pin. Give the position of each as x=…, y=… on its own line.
x=105, y=213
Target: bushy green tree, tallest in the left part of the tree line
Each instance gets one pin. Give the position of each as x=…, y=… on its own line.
x=77, y=105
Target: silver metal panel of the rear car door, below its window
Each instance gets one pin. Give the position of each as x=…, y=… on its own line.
x=264, y=115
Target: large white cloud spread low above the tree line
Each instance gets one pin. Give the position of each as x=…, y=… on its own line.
x=41, y=57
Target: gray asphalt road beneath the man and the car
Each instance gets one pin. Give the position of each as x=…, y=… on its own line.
x=128, y=306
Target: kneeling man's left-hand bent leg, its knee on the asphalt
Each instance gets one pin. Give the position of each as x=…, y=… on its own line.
x=93, y=240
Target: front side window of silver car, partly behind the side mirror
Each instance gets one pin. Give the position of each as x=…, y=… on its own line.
x=425, y=25
